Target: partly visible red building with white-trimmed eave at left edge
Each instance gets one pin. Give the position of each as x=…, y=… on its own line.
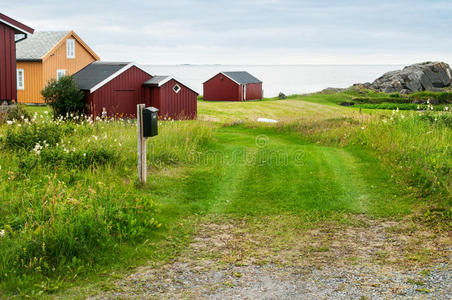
x=8, y=29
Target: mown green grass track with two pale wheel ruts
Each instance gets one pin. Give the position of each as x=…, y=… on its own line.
x=259, y=172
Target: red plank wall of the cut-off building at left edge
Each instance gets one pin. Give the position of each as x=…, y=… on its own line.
x=7, y=63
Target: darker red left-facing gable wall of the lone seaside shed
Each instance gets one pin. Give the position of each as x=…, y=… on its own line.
x=217, y=89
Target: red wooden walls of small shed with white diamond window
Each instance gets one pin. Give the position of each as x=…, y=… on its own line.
x=181, y=105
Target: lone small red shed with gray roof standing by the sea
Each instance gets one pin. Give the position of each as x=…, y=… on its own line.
x=233, y=86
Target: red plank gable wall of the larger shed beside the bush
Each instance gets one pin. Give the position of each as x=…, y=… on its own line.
x=113, y=95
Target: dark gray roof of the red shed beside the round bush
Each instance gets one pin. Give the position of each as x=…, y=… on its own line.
x=96, y=72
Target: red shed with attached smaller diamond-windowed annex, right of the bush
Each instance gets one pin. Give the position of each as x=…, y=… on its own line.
x=118, y=87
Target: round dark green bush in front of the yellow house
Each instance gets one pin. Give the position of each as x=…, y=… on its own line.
x=64, y=96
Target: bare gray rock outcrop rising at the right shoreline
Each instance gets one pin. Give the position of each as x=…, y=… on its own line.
x=432, y=76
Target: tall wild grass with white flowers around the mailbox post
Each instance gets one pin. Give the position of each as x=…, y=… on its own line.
x=69, y=196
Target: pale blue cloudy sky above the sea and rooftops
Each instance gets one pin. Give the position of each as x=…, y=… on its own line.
x=250, y=31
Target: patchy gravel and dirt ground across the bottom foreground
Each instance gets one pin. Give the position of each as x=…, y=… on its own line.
x=272, y=259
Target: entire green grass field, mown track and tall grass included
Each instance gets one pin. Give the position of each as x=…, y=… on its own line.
x=74, y=213
